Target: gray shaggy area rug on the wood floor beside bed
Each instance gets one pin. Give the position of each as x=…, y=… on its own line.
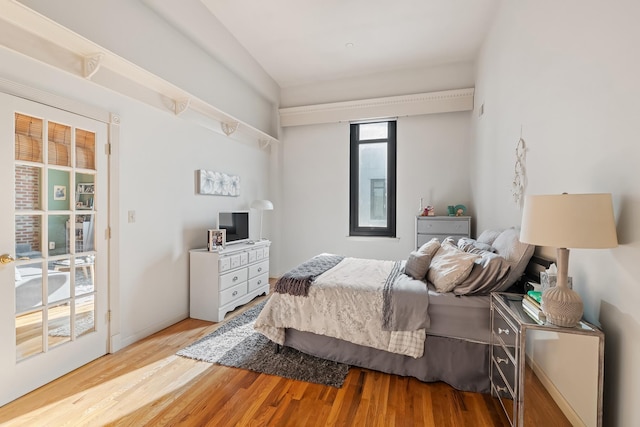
x=238, y=345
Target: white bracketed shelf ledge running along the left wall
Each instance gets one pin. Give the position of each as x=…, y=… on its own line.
x=27, y=32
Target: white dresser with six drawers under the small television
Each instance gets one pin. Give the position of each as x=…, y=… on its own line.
x=224, y=280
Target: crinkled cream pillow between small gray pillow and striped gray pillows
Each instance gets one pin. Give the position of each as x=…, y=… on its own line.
x=449, y=267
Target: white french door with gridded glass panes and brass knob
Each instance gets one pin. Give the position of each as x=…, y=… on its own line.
x=53, y=245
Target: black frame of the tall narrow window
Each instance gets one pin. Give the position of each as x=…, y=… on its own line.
x=354, y=174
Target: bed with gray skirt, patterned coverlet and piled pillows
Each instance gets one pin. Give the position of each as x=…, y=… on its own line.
x=425, y=317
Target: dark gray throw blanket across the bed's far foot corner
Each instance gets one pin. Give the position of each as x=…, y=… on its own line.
x=297, y=281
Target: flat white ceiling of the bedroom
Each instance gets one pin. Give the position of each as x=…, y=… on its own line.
x=302, y=42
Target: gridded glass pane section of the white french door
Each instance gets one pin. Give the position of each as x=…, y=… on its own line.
x=54, y=223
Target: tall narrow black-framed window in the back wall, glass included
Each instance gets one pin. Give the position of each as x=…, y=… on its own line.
x=373, y=179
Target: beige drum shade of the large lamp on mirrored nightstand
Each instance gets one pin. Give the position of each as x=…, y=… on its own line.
x=569, y=221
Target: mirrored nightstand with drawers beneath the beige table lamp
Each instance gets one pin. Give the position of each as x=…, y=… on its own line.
x=513, y=365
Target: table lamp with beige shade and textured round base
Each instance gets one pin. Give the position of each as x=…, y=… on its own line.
x=567, y=221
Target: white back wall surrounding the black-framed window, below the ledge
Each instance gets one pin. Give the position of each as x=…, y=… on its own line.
x=432, y=163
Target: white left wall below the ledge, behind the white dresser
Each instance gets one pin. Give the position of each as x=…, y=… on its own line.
x=158, y=155
